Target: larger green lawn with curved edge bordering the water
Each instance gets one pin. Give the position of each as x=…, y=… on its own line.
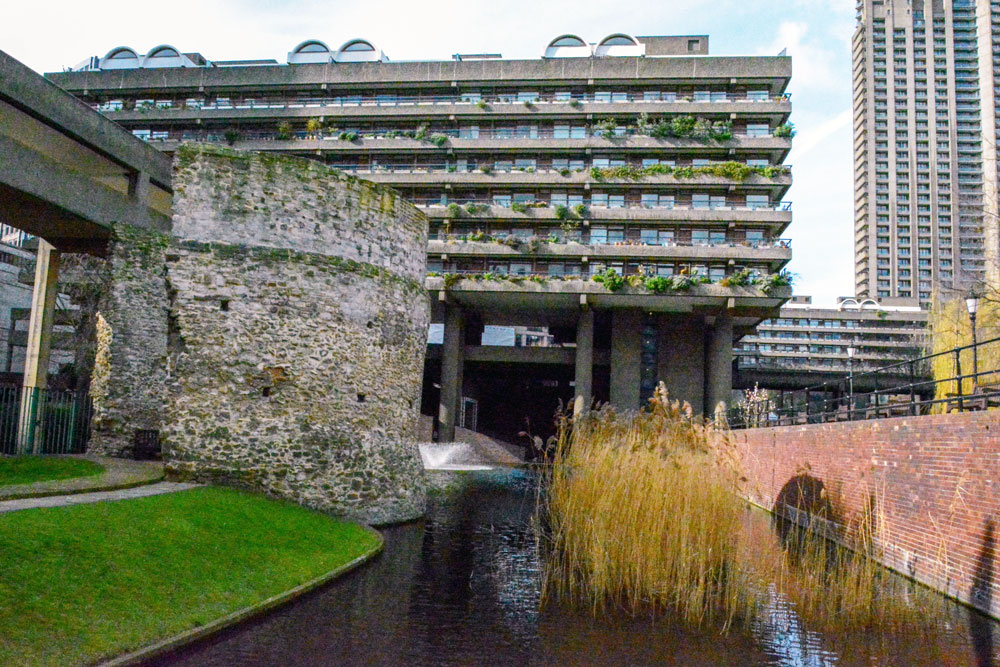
x=85, y=583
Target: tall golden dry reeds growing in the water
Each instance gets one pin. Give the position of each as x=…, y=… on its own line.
x=645, y=513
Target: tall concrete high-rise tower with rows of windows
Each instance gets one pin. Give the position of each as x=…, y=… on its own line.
x=925, y=132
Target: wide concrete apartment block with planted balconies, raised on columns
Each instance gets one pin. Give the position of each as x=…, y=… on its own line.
x=622, y=196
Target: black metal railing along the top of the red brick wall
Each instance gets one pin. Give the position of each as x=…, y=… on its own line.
x=907, y=388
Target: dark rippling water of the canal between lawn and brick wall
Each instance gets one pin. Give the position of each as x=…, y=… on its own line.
x=462, y=588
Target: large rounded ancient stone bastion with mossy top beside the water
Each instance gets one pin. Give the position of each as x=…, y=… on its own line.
x=298, y=324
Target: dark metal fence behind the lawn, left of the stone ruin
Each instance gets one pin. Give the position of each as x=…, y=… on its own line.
x=61, y=424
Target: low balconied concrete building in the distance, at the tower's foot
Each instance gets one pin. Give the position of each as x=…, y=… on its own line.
x=809, y=344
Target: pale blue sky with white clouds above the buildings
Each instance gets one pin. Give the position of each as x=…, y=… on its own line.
x=817, y=34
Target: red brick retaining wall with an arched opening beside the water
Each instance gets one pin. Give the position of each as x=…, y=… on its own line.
x=934, y=479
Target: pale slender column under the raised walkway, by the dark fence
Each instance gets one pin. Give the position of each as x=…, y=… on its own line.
x=36, y=361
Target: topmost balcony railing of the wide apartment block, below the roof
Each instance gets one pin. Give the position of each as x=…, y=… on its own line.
x=469, y=100
